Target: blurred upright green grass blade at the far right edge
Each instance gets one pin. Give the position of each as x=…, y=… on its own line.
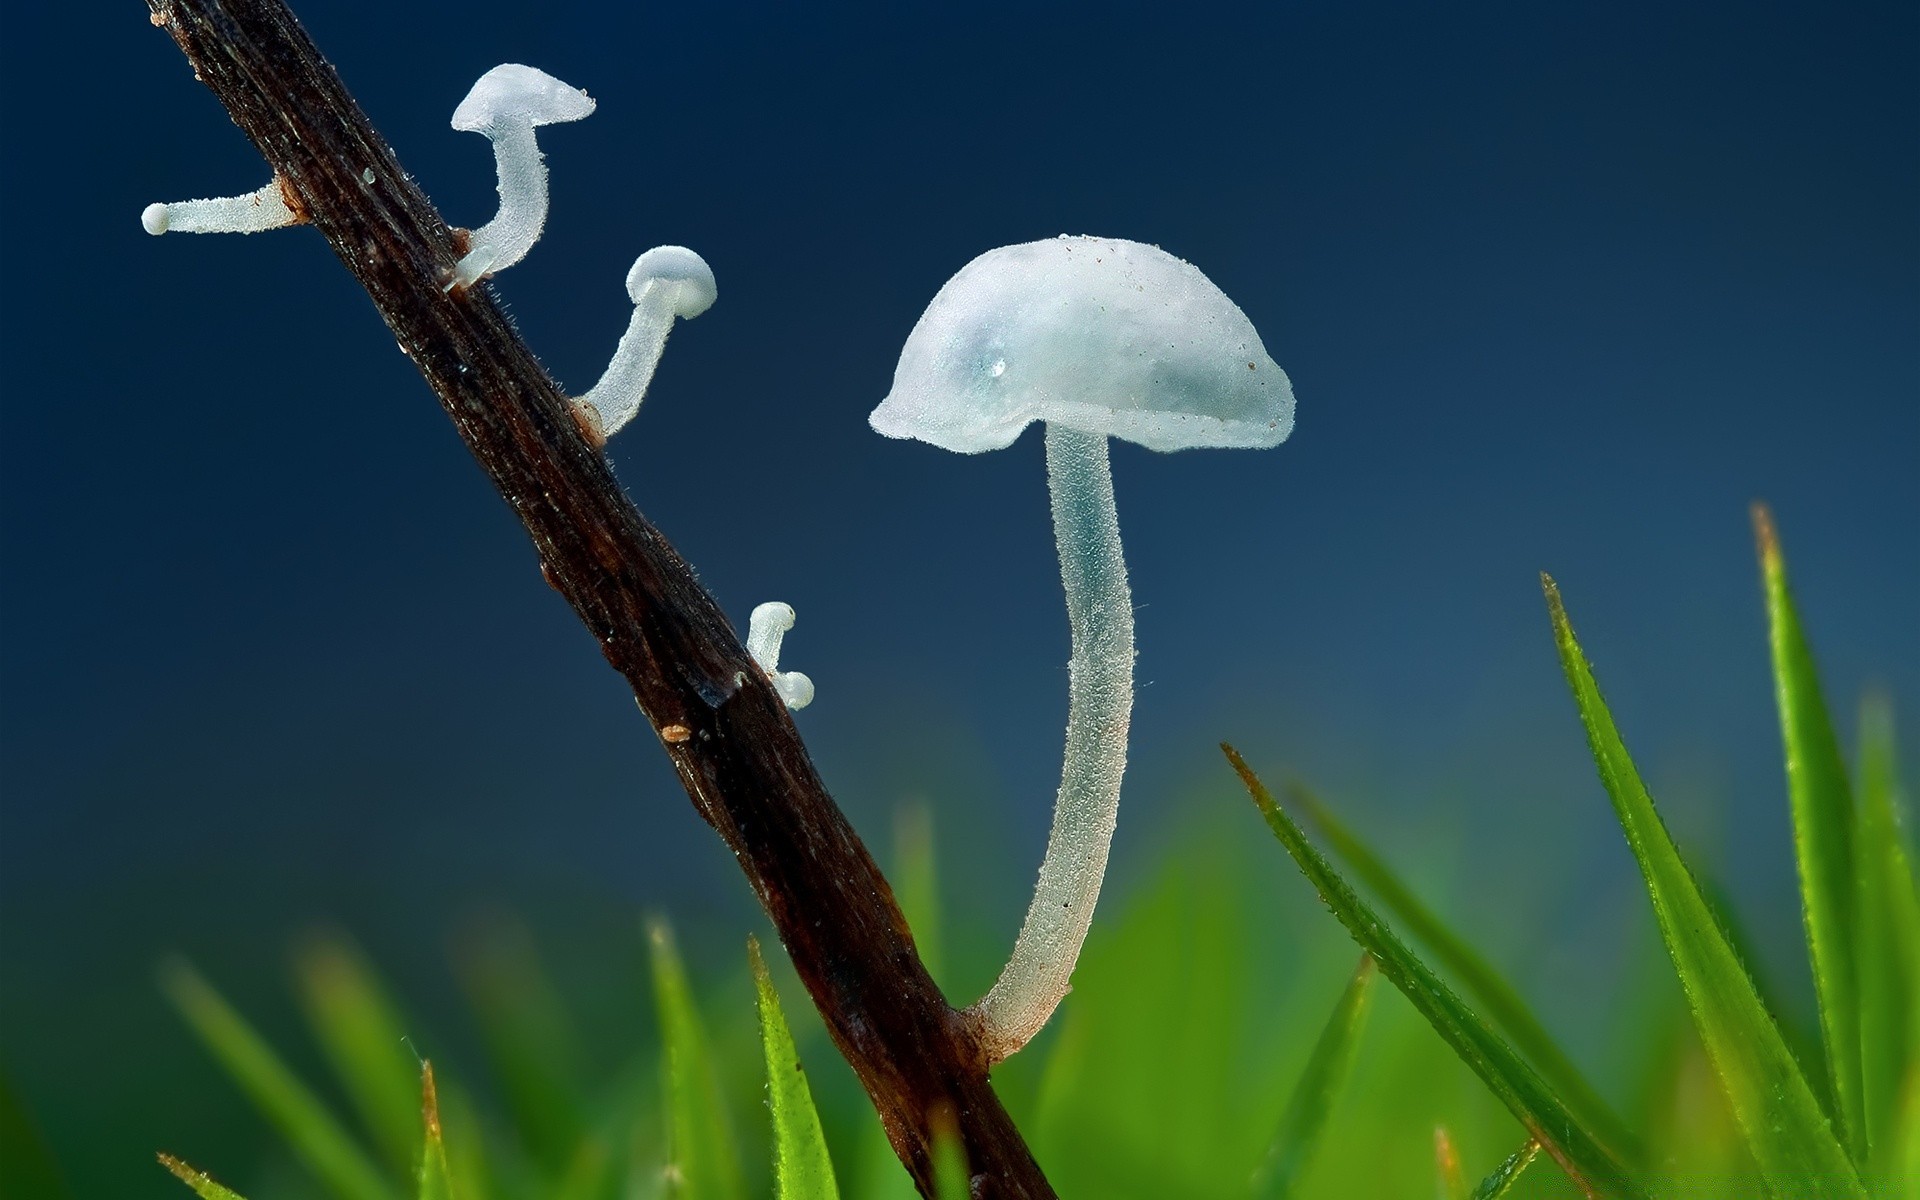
x=1886, y=936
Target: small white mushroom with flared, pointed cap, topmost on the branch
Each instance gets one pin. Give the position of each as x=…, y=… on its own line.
x=508, y=105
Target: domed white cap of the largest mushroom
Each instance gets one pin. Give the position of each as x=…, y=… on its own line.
x=1099, y=335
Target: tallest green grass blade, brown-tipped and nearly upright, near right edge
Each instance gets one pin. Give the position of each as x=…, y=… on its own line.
x=1823, y=836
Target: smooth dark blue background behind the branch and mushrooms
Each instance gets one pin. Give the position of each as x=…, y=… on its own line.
x=1560, y=287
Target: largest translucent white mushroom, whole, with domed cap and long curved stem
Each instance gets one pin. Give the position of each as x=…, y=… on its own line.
x=1099, y=339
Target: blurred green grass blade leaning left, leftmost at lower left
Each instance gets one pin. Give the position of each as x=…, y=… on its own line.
x=322, y=1143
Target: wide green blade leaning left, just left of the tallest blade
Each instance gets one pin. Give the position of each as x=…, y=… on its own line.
x=1785, y=1126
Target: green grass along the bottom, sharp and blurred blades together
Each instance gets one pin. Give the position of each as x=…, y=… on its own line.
x=1209, y=1049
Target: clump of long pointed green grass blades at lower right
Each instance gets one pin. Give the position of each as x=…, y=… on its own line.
x=1806, y=1138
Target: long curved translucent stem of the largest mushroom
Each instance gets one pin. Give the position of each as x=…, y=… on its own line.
x=1101, y=706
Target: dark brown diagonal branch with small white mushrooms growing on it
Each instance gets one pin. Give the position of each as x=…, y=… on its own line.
x=729, y=734
